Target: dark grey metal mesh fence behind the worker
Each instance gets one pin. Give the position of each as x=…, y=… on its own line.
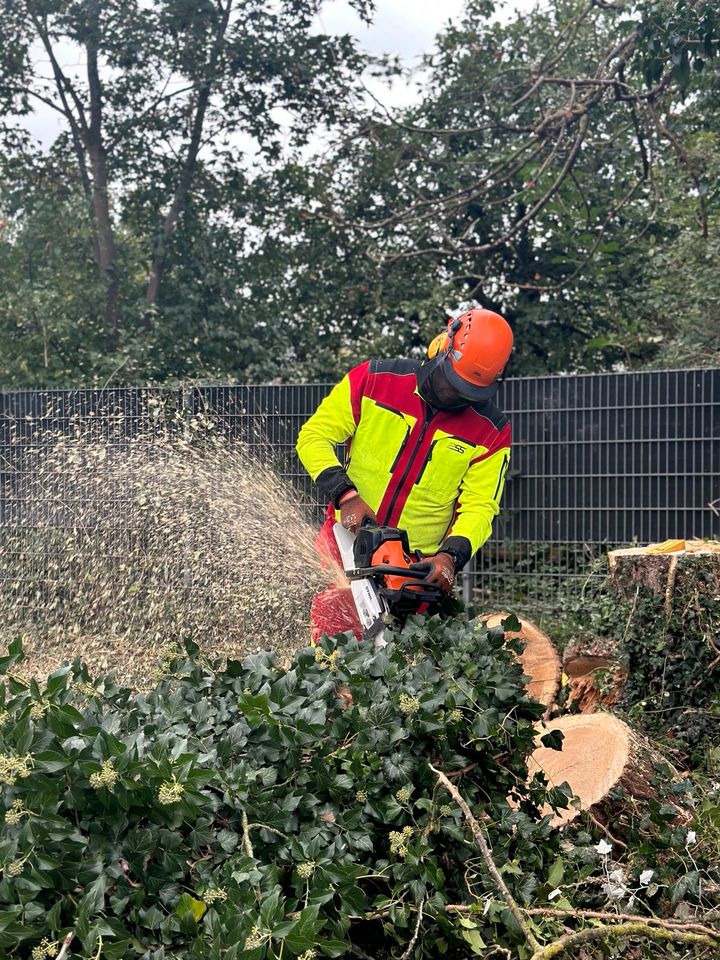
x=598, y=461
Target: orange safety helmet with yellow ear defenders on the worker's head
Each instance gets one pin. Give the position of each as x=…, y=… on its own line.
x=473, y=351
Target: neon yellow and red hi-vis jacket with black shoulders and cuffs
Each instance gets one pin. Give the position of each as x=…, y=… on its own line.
x=439, y=474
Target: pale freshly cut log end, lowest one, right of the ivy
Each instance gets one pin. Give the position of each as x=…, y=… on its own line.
x=599, y=753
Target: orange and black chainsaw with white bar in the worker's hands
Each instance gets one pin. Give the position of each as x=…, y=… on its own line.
x=377, y=563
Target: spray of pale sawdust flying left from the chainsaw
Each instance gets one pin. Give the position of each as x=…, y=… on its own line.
x=112, y=552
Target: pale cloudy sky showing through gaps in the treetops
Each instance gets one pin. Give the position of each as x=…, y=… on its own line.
x=404, y=27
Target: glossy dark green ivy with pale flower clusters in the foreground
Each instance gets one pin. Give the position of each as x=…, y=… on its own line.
x=261, y=809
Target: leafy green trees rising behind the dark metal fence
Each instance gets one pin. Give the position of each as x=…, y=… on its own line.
x=227, y=200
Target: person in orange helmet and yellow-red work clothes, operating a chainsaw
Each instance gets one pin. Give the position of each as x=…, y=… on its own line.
x=427, y=451
